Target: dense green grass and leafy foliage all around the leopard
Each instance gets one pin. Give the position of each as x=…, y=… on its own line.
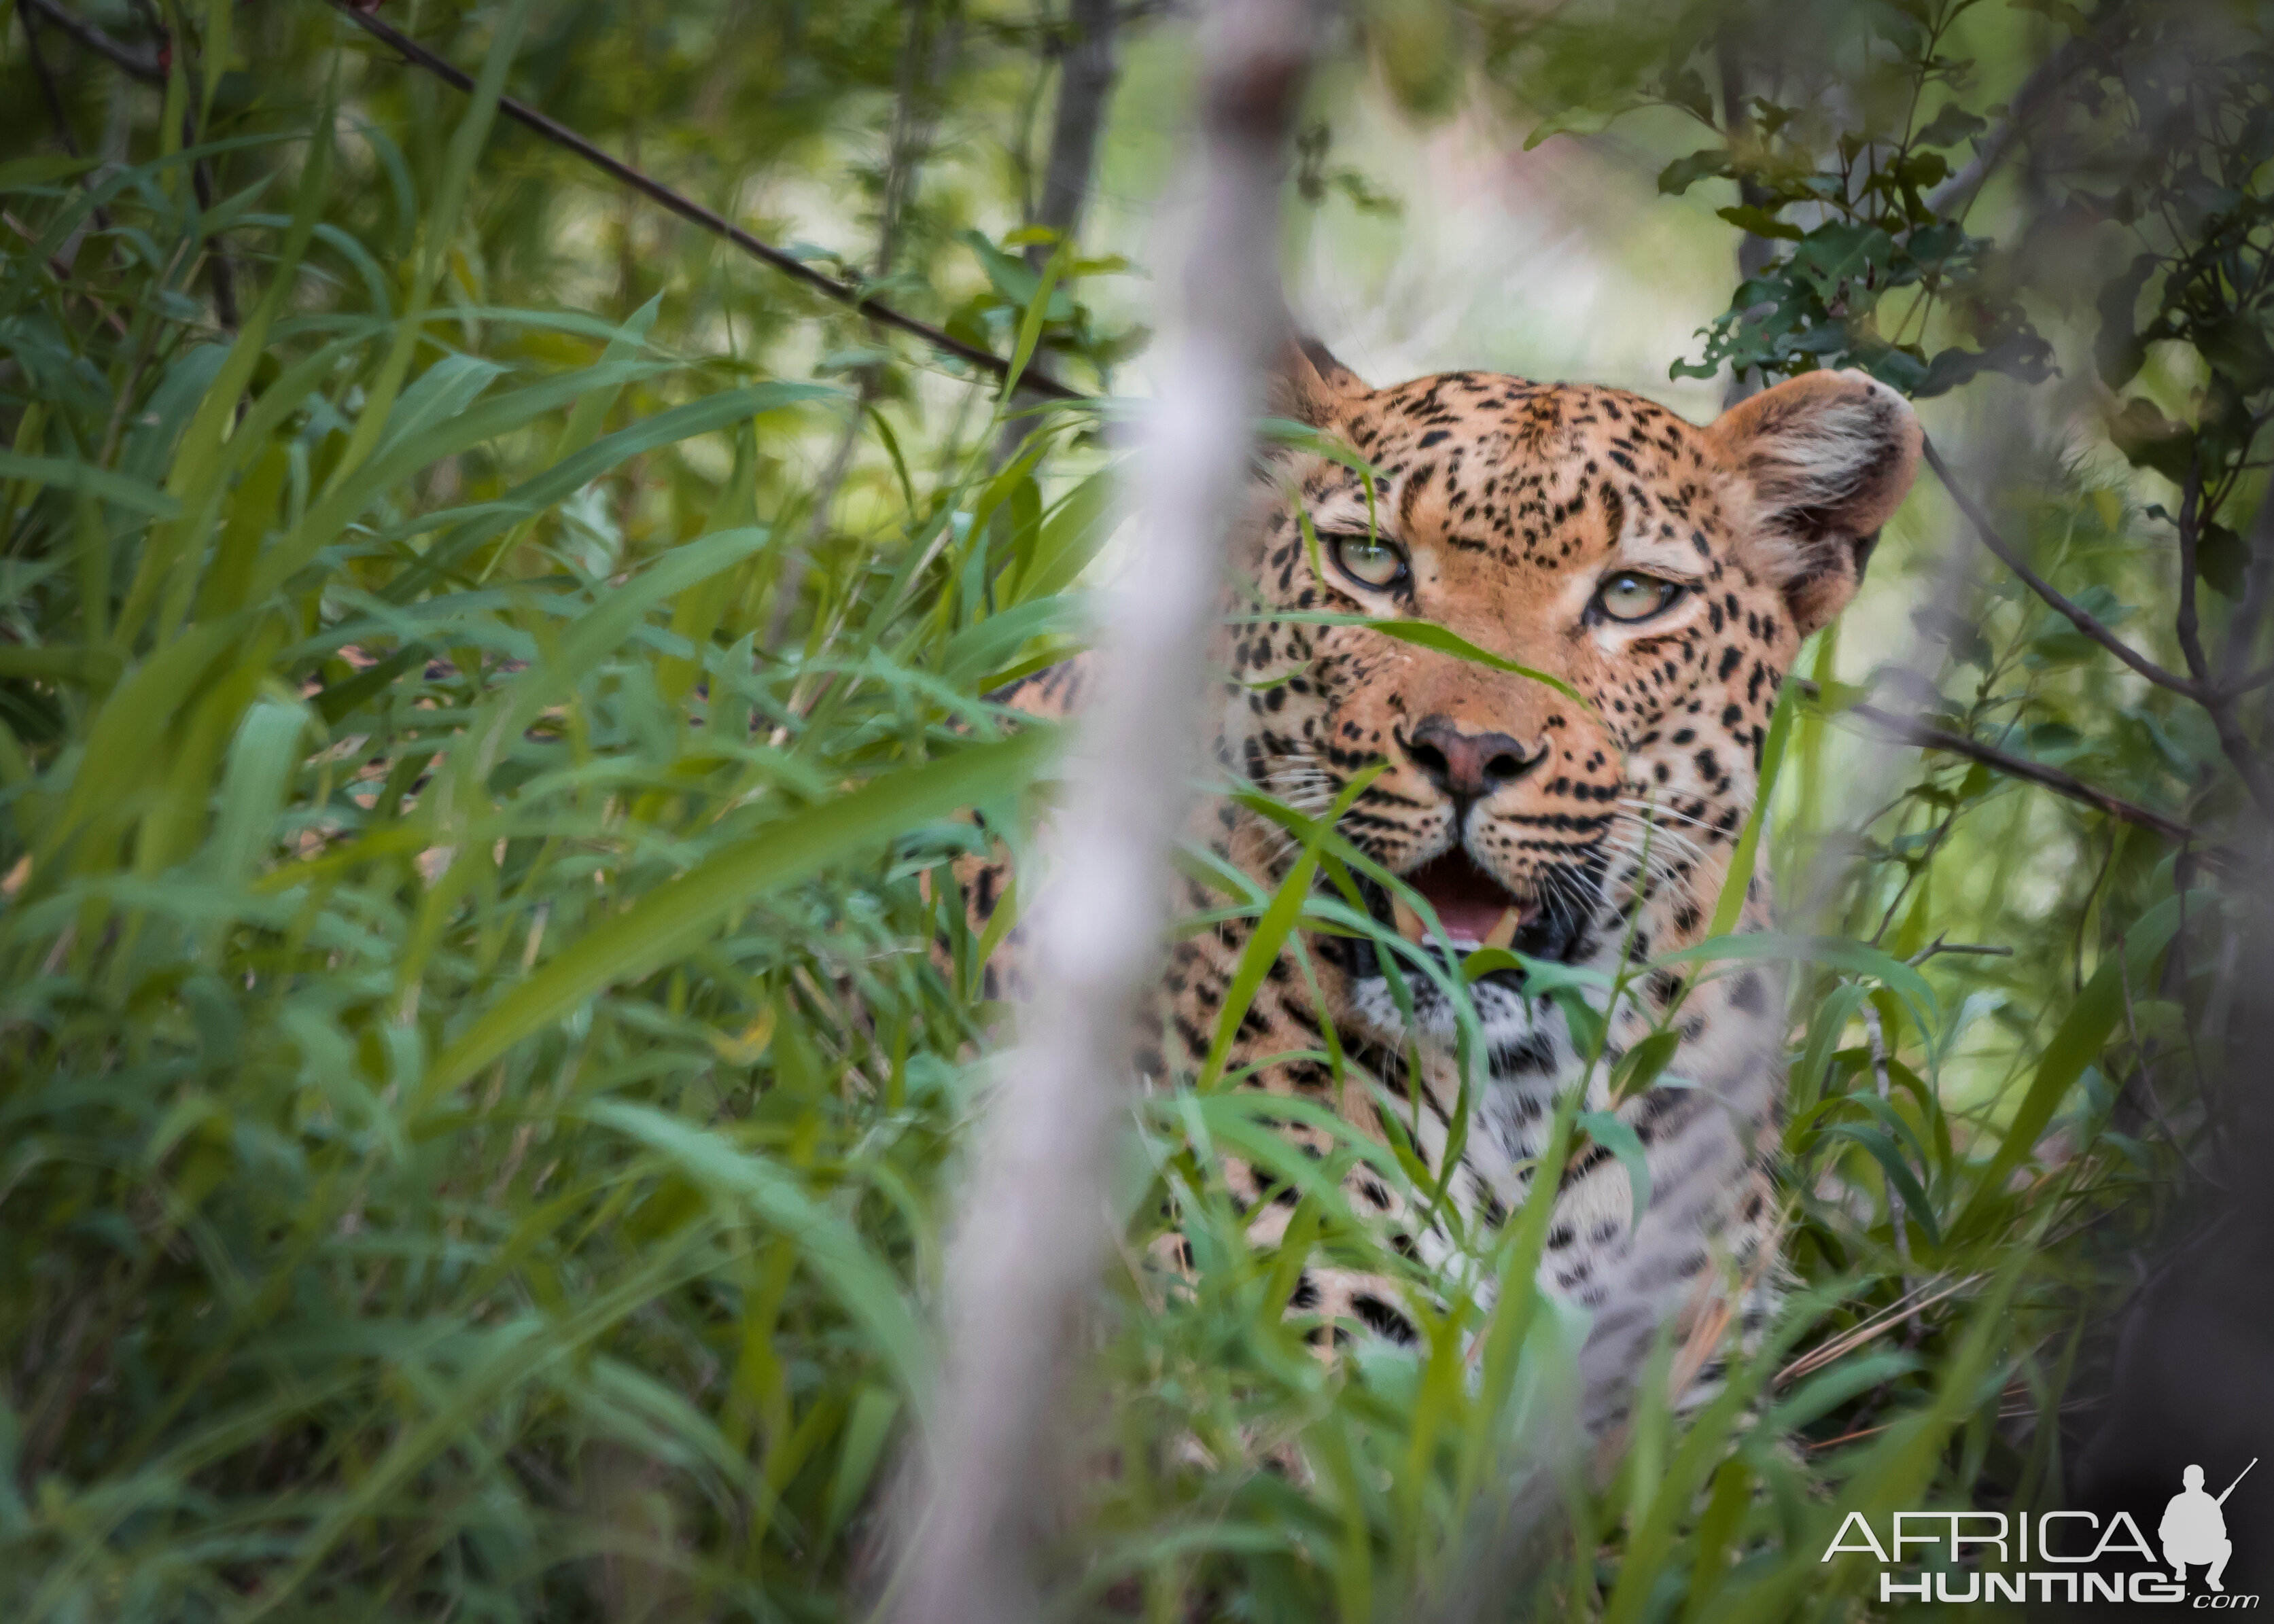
x=490, y=679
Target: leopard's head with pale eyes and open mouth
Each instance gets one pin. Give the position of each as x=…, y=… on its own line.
x=1663, y=574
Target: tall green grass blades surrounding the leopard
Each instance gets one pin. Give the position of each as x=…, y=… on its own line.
x=479, y=1093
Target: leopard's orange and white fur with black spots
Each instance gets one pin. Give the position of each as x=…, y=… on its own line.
x=1513, y=504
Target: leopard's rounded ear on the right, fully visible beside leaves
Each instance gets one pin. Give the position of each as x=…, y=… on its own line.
x=1827, y=461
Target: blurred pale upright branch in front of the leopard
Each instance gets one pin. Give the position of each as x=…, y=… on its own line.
x=1034, y=1225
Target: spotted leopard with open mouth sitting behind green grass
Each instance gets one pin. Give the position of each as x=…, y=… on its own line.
x=1566, y=777
